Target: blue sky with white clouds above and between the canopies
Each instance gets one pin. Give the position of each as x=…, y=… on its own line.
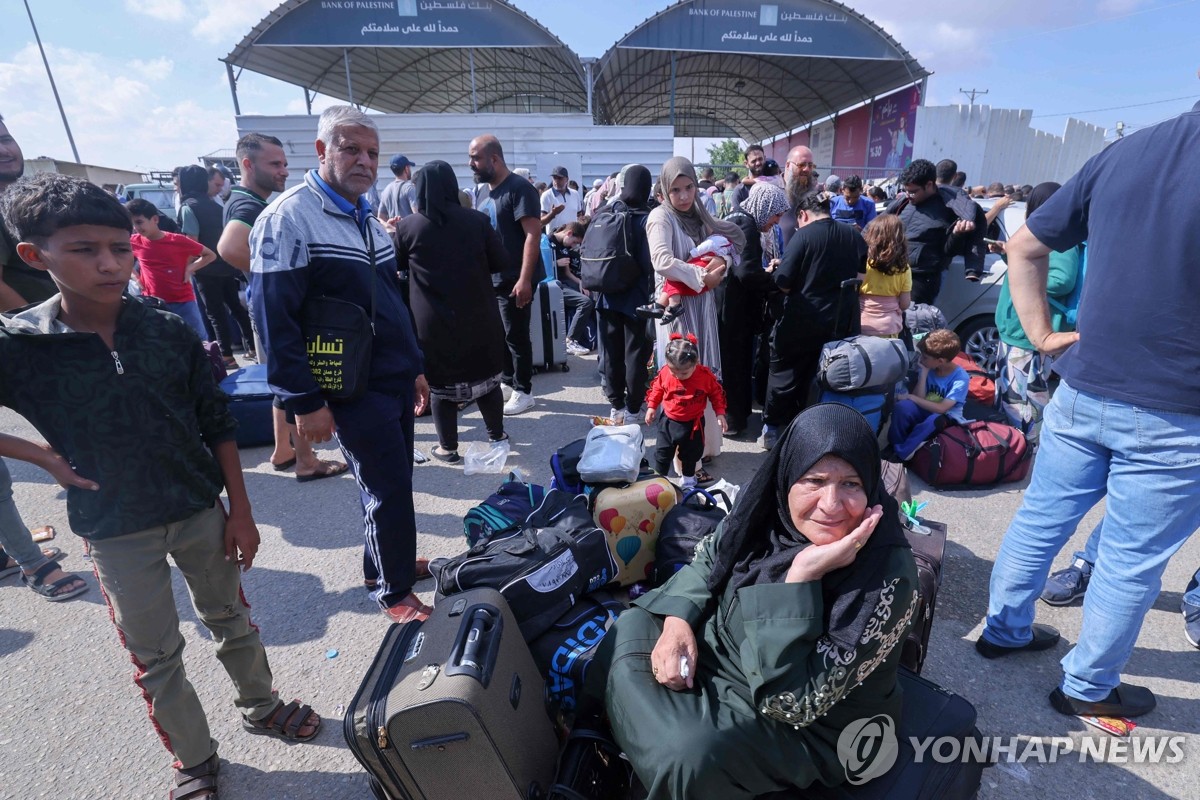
x=145, y=91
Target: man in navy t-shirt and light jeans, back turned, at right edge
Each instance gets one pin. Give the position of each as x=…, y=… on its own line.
x=1126, y=420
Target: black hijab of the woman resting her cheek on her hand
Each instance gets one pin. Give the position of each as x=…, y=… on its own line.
x=759, y=539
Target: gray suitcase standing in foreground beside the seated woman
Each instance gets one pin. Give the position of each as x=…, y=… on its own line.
x=452, y=708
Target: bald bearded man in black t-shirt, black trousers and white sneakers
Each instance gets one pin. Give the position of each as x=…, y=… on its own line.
x=515, y=208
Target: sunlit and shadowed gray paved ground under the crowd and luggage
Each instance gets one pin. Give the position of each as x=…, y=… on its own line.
x=73, y=725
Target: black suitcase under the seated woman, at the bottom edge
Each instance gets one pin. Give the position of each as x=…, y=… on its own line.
x=928, y=712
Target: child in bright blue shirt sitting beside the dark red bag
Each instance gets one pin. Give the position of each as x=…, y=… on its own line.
x=941, y=390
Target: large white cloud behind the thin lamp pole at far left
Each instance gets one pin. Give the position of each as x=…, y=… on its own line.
x=123, y=115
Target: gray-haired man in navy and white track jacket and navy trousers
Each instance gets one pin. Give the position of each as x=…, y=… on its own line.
x=322, y=240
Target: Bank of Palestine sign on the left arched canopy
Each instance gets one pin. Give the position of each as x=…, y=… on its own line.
x=405, y=23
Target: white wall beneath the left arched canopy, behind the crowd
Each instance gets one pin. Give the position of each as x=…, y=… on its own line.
x=602, y=151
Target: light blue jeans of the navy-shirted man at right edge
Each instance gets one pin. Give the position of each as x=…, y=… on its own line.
x=1149, y=465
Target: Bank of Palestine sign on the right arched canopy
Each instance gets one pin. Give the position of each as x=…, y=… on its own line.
x=790, y=28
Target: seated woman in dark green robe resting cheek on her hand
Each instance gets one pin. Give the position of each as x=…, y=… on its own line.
x=736, y=678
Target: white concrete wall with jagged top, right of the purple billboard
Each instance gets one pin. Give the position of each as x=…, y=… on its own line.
x=999, y=145
